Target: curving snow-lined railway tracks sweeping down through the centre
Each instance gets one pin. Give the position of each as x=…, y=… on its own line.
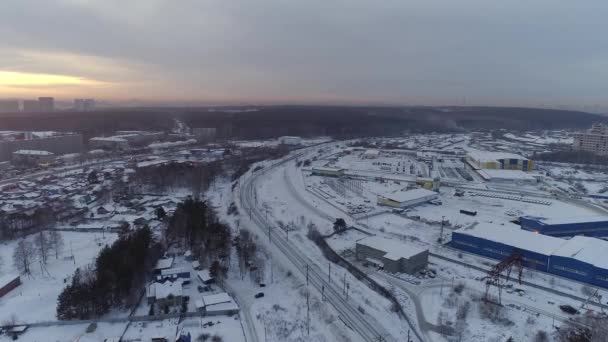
x=366, y=326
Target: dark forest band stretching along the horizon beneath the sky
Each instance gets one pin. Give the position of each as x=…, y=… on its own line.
x=273, y=121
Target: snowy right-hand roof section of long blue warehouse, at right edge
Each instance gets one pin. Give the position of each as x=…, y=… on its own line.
x=586, y=249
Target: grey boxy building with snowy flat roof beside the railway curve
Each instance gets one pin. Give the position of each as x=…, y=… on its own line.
x=395, y=257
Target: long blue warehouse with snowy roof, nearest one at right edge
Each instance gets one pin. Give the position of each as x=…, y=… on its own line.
x=581, y=258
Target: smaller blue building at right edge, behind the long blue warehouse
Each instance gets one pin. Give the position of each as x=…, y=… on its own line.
x=569, y=226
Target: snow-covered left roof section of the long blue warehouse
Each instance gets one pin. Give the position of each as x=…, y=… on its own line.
x=513, y=236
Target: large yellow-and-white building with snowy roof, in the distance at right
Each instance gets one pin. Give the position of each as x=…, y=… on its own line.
x=499, y=160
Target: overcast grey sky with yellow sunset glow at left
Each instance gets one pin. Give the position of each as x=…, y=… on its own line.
x=515, y=52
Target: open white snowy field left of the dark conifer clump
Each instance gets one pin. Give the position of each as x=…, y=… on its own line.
x=35, y=299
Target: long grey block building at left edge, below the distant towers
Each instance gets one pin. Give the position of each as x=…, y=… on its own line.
x=57, y=144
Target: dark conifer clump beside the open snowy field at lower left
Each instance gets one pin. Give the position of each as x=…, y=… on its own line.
x=119, y=273
